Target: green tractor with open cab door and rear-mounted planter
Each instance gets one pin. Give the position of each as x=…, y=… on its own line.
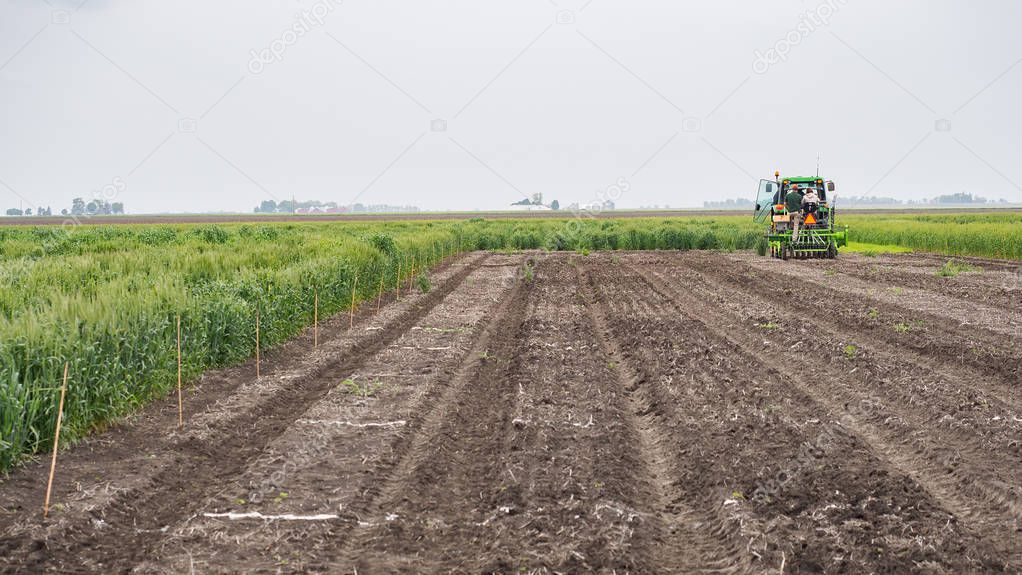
x=818, y=237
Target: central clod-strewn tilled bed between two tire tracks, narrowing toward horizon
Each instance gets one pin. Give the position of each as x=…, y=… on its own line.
x=574, y=497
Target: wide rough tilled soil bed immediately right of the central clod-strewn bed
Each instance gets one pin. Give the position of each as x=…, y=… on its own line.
x=848, y=511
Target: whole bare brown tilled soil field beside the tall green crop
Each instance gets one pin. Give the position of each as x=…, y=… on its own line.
x=616, y=413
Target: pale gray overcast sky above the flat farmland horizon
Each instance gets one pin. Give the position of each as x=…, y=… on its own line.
x=165, y=105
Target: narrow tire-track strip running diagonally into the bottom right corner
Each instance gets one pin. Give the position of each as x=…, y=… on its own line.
x=985, y=506
